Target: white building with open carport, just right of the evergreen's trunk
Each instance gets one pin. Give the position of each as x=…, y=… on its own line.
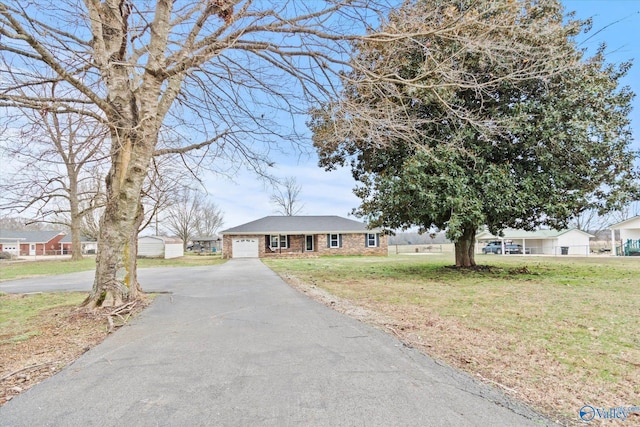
x=546, y=242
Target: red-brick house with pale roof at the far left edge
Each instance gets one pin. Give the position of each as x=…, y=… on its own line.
x=23, y=243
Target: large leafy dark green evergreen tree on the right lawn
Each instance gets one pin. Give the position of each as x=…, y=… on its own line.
x=493, y=118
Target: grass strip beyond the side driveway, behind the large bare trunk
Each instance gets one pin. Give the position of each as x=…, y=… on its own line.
x=23, y=269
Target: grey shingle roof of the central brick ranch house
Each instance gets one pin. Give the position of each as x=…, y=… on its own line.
x=300, y=225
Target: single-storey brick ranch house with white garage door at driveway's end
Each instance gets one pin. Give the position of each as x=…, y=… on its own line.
x=281, y=236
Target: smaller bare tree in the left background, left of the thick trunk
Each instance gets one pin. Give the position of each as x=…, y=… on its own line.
x=57, y=159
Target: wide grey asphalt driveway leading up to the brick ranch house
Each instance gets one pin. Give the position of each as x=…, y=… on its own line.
x=239, y=347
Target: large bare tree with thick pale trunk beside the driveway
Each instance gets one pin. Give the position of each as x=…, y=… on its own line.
x=212, y=71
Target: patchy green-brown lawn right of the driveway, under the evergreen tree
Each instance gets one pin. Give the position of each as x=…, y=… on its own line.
x=561, y=331
